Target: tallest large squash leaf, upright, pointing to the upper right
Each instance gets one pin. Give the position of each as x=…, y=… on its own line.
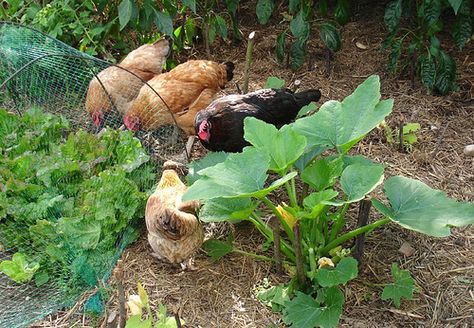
x=343, y=124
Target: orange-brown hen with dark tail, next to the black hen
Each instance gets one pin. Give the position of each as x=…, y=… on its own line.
x=186, y=89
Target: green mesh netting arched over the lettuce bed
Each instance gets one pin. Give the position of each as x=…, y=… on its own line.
x=71, y=198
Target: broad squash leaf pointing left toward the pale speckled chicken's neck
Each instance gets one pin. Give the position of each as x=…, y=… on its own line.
x=240, y=173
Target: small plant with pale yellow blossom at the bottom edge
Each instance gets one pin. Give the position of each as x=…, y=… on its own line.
x=138, y=319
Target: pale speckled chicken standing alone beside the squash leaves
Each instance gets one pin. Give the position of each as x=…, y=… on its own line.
x=174, y=232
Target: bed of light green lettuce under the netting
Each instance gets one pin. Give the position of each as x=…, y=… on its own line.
x=69, y=201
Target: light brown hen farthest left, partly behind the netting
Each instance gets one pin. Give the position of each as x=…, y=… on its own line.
x=122, y=87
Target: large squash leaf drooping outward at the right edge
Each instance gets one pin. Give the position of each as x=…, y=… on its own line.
x=416, y=206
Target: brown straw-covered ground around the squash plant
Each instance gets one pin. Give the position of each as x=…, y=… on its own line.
x=221, y=294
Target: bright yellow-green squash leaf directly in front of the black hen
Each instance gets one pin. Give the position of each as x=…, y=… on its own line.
x=283, y=146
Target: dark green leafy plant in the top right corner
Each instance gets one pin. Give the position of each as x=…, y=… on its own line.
x=435, y=67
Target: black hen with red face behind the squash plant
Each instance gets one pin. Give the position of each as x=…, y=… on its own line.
x=220, y=126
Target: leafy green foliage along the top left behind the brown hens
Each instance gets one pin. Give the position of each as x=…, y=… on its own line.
x=97, y=26
